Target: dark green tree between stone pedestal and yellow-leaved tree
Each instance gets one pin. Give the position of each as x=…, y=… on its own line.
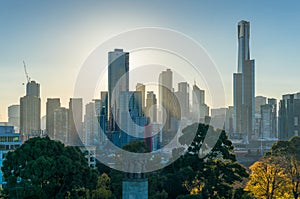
x=212, y=175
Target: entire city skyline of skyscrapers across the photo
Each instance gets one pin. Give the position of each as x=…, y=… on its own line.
x=124, y=116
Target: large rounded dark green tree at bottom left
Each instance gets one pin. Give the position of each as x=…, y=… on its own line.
x=44, y=168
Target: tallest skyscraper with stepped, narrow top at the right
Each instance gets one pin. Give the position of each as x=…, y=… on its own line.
x=243, y=83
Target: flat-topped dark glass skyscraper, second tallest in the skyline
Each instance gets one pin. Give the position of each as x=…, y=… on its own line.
x=118, y=80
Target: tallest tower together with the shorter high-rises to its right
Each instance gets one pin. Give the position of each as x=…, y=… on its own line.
x=256, y=117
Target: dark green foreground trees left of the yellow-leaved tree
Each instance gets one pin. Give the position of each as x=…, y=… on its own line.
x=43, y=168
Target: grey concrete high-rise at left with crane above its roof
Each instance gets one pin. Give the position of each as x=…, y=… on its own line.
x=30, y=111
